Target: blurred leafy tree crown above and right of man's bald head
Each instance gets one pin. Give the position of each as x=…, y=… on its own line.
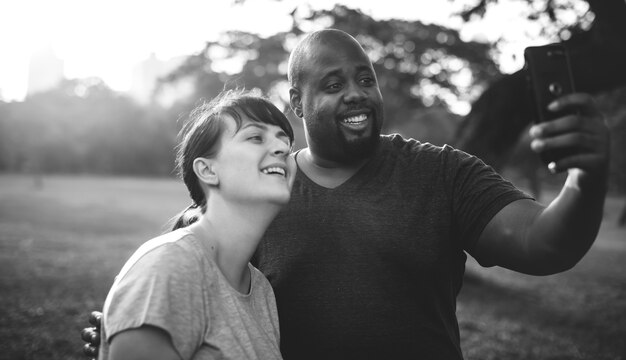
x=418, y=65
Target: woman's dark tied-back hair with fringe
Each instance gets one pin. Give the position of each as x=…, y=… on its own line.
x=201, y=134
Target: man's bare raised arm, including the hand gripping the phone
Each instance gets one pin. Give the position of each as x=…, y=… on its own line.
x=528, y=237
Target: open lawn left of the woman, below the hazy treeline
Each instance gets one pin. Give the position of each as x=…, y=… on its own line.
x=60, y=247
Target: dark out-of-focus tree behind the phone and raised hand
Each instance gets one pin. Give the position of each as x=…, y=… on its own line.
x=594, y=32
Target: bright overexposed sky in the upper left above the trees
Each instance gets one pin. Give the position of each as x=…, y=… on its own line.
x=107, y=38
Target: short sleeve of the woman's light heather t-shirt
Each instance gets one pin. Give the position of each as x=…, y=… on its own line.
x=163, y=288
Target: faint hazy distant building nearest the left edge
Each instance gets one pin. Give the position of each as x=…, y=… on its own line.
x=45, y=71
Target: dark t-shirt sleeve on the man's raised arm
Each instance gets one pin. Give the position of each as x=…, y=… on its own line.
x=478, y=194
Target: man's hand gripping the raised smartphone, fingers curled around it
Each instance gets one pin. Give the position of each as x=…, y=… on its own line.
x=583, y=133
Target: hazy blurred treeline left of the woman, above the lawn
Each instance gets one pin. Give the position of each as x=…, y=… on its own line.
x=83, y=126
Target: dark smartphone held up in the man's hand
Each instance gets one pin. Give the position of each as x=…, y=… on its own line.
x=549, y=76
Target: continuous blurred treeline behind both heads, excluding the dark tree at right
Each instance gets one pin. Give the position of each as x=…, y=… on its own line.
x=83, y=126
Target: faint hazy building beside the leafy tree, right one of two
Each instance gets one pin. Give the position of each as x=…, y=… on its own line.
x=147, y=73
